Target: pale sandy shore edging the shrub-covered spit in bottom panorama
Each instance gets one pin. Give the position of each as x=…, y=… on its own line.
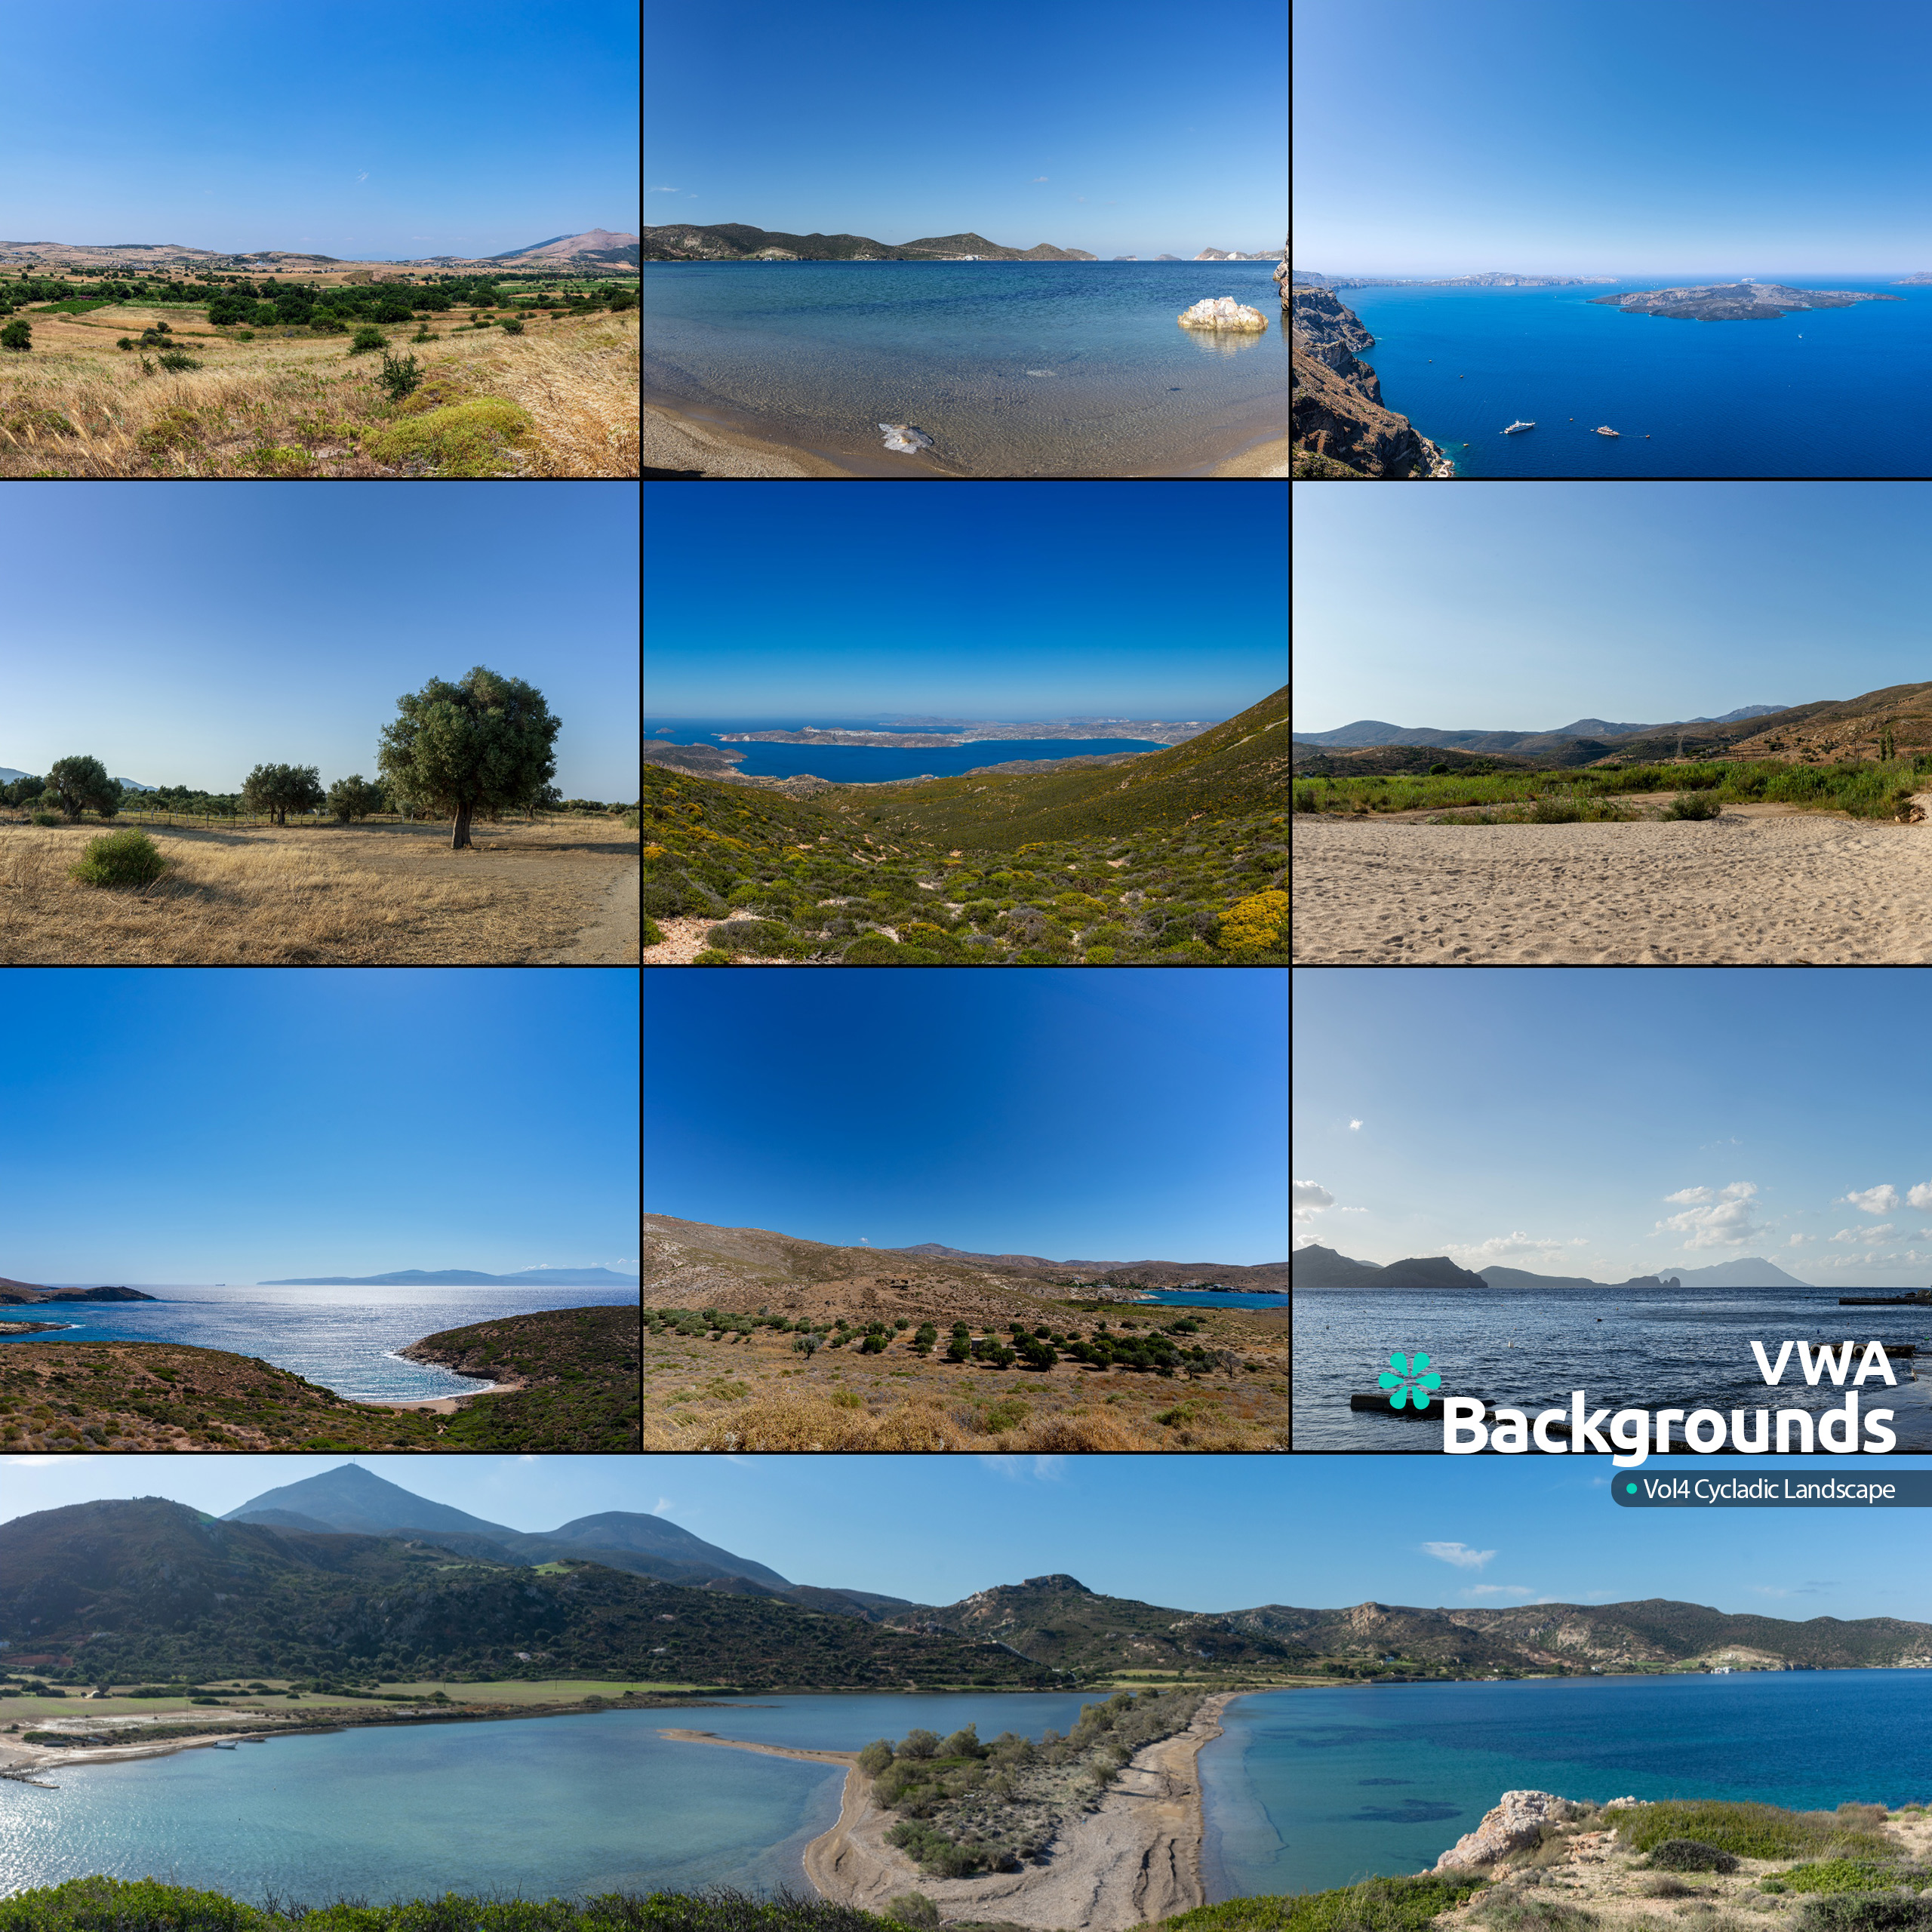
x=1133, y=1860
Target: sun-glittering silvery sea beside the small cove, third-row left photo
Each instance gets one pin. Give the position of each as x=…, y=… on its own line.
x=341, y=1338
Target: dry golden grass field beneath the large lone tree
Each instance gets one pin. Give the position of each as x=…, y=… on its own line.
x=310, y=897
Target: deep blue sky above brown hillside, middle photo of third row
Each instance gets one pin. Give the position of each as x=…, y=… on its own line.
x=1096, y=1118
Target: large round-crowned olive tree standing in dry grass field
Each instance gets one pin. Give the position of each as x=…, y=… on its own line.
x=482, y=747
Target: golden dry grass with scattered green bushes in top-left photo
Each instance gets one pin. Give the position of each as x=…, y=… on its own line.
x=302, y=407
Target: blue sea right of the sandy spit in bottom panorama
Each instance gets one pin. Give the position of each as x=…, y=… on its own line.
x=1309, y=1790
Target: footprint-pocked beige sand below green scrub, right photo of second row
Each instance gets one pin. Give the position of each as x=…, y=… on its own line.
x=1747, y=888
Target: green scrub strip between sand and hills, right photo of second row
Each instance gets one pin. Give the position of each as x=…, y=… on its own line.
x=1871, y=789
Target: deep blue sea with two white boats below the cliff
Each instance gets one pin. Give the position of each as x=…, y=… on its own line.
x=1833, y=393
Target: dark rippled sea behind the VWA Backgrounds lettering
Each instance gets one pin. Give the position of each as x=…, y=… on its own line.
x=1628, y=1348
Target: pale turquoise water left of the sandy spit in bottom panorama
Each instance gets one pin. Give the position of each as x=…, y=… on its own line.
x=548, y=1807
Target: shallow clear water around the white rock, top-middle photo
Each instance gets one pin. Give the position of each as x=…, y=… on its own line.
x=1011, y=368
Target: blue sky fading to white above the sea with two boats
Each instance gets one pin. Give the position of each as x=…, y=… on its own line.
x=1643, y=138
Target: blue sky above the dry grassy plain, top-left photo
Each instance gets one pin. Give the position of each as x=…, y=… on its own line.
x=356, y=130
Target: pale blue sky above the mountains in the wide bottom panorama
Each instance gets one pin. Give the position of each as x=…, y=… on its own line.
x=1317, y=1533
